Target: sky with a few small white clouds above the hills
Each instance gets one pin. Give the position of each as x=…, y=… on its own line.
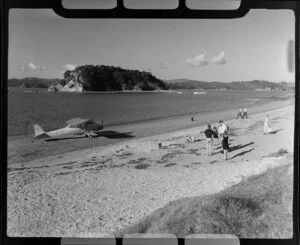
x=45, y=45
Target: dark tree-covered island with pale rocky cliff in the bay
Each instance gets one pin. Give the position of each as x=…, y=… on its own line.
x=108, y=78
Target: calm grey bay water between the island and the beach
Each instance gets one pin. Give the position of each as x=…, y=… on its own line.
x=51, y=110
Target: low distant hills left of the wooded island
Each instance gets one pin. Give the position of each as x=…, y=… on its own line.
x=32, y=82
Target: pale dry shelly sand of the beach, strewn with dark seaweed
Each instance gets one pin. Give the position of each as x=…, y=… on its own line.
x=86, y=193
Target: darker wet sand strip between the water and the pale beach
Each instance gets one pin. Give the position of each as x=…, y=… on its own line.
x=24, y=149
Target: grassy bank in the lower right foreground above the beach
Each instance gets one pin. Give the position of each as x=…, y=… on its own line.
x=257, y=207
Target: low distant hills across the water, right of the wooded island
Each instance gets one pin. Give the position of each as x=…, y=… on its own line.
x=243, y=85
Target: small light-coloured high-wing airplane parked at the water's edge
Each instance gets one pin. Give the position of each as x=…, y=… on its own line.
x=75, y=126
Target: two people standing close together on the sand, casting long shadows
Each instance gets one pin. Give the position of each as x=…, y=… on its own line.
x=222, y=133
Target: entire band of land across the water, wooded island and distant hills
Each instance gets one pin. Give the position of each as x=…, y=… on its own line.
x=109, y=78
